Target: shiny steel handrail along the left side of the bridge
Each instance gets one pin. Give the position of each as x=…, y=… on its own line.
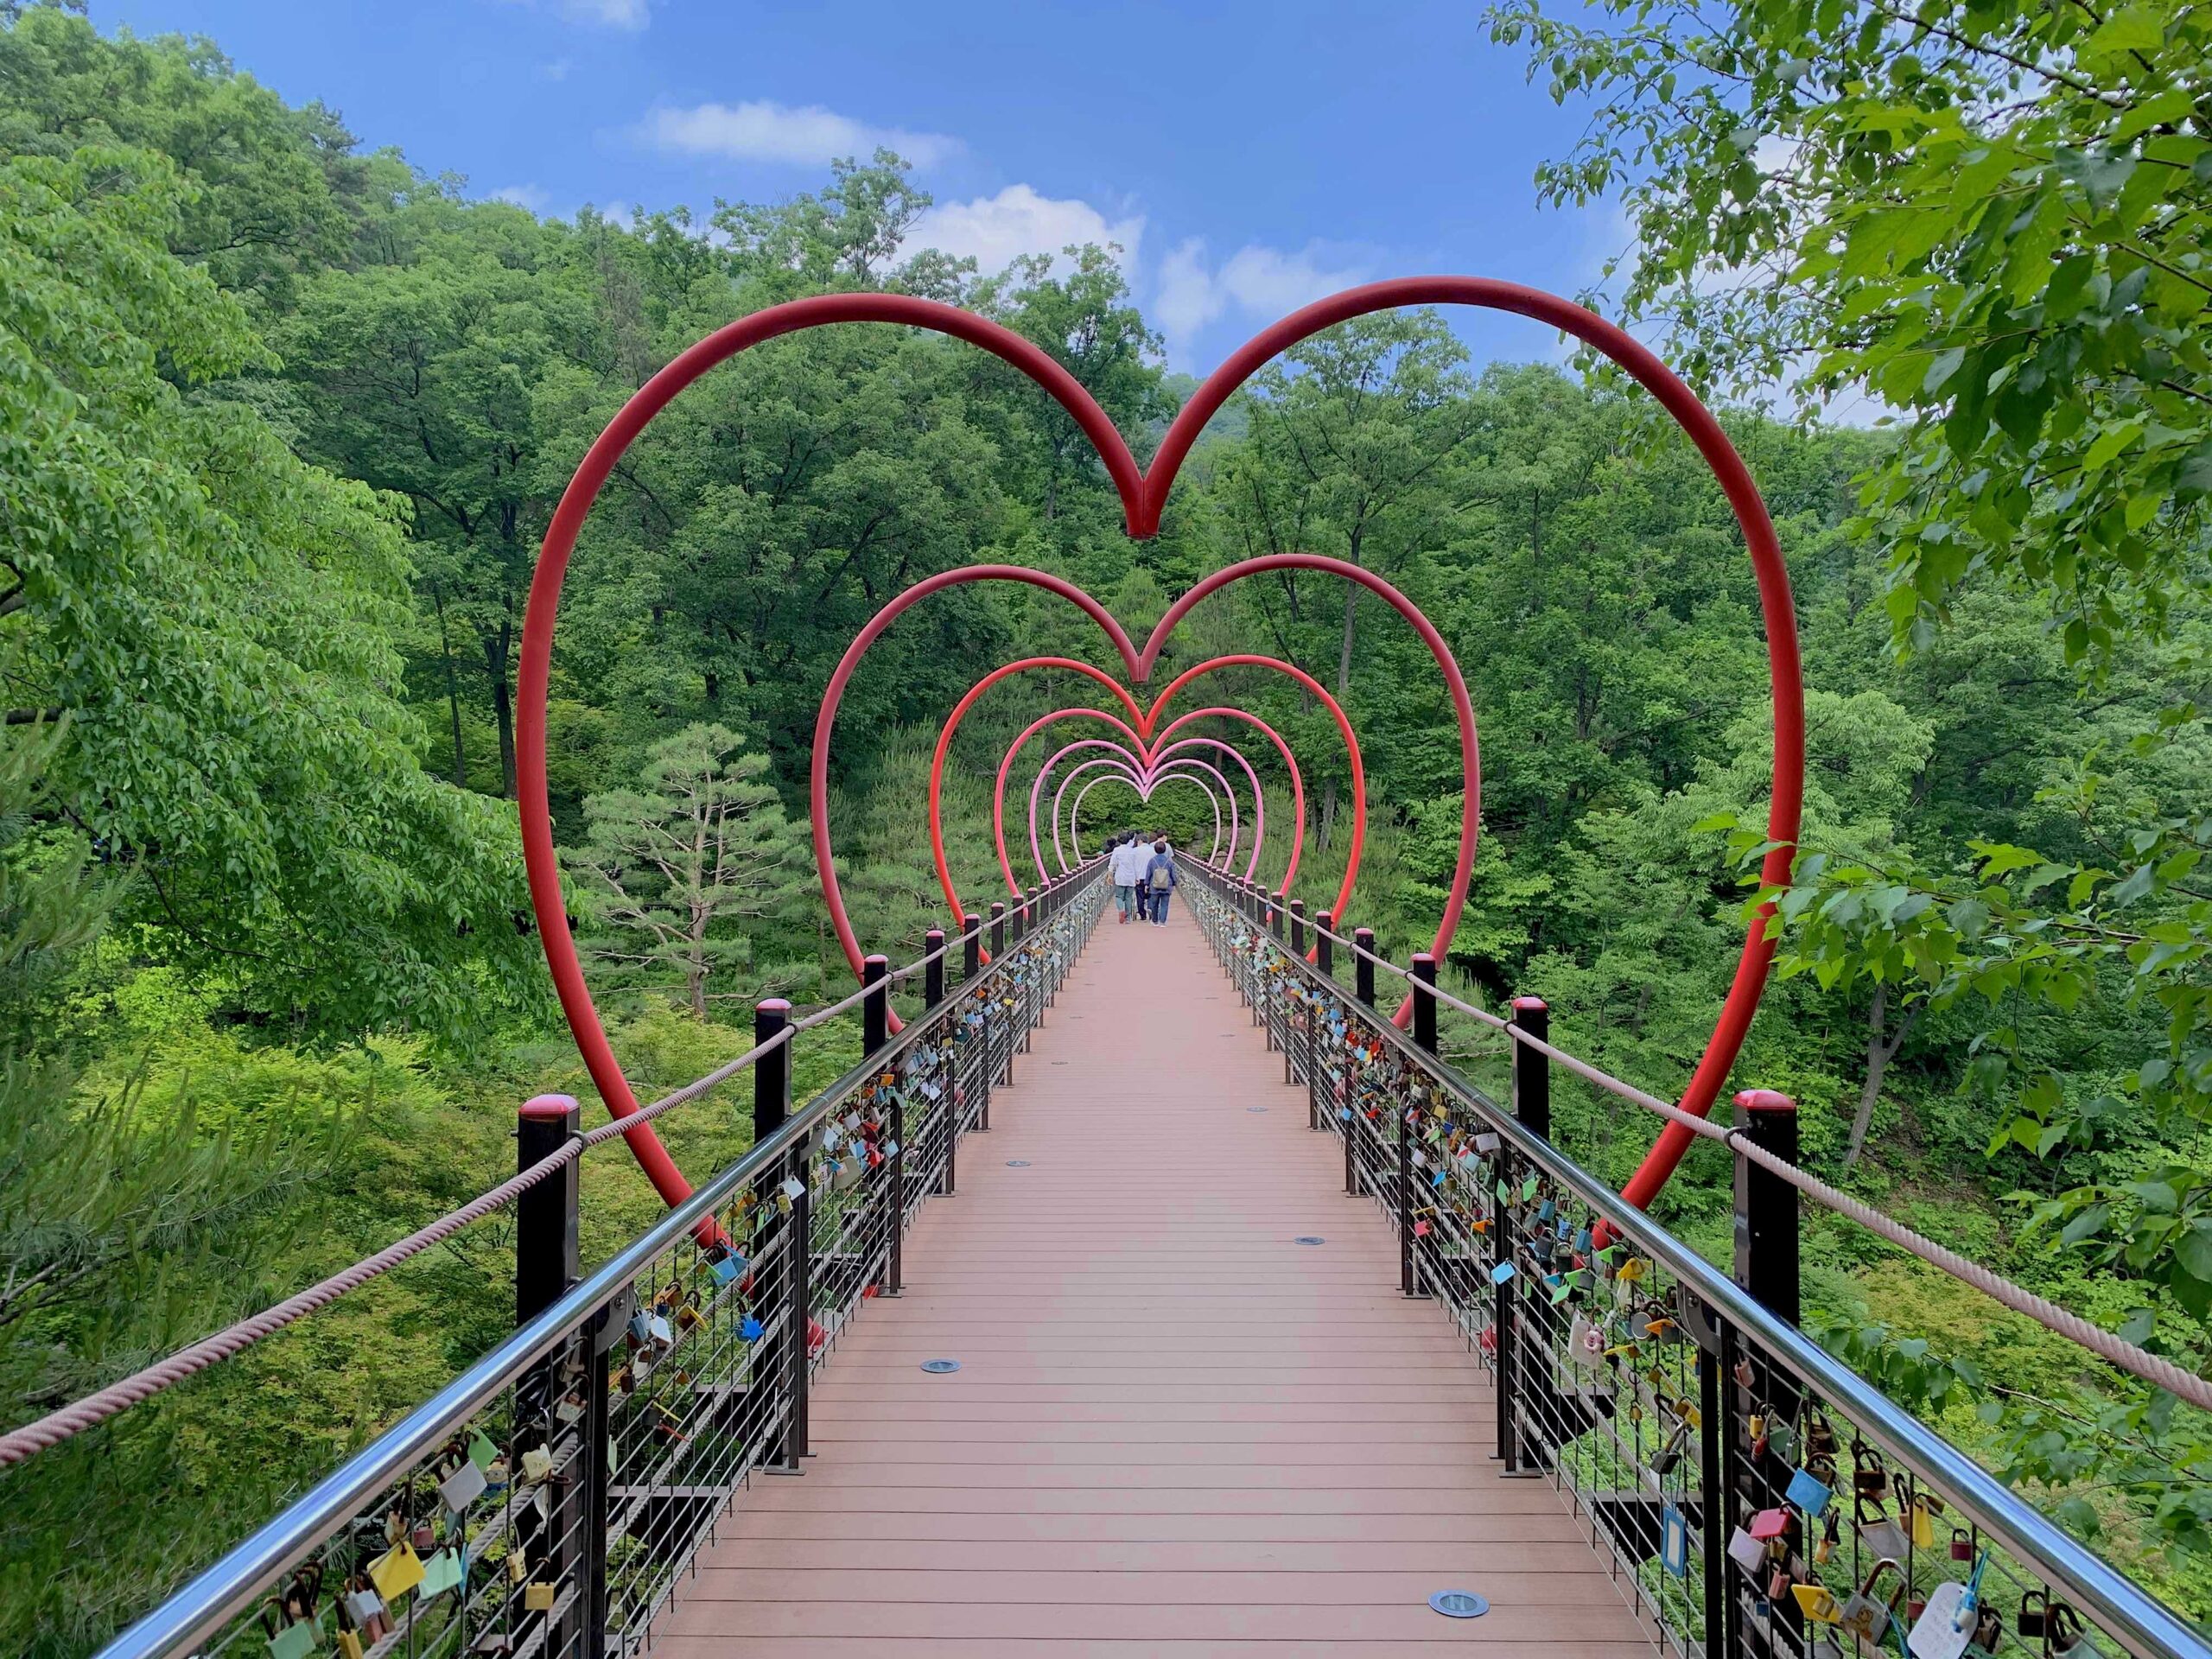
x=236, y=1580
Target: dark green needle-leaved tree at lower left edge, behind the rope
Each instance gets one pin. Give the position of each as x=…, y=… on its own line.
x=114, y=1227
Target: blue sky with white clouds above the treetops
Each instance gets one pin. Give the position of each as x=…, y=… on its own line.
x=1249, y=156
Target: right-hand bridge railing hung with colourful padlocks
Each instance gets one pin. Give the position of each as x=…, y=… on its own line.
x=1755, y=1496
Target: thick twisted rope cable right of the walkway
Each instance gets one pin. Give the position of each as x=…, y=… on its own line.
x=2107, y=1346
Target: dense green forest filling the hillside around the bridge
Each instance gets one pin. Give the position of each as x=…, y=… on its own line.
x=282, y=424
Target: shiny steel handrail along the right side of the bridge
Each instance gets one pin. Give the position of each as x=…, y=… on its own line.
x=2129, y=1611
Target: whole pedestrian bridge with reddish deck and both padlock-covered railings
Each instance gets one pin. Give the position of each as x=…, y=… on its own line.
x=1154, y=1295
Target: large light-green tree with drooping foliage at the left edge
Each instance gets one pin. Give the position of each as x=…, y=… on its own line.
x=218, y=620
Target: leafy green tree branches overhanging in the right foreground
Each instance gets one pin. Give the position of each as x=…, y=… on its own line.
x=1996, y=222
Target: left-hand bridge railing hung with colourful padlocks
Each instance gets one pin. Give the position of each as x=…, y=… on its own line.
x=554, y=1499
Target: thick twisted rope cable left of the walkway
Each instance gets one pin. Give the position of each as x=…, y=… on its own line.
x=138, y=1388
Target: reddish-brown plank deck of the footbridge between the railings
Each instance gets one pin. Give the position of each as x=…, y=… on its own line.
x=1173, y=1428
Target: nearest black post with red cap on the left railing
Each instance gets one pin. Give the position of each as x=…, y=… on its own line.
x=547, y=1264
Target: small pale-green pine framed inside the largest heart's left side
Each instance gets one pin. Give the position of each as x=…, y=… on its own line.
x=674, y=868
